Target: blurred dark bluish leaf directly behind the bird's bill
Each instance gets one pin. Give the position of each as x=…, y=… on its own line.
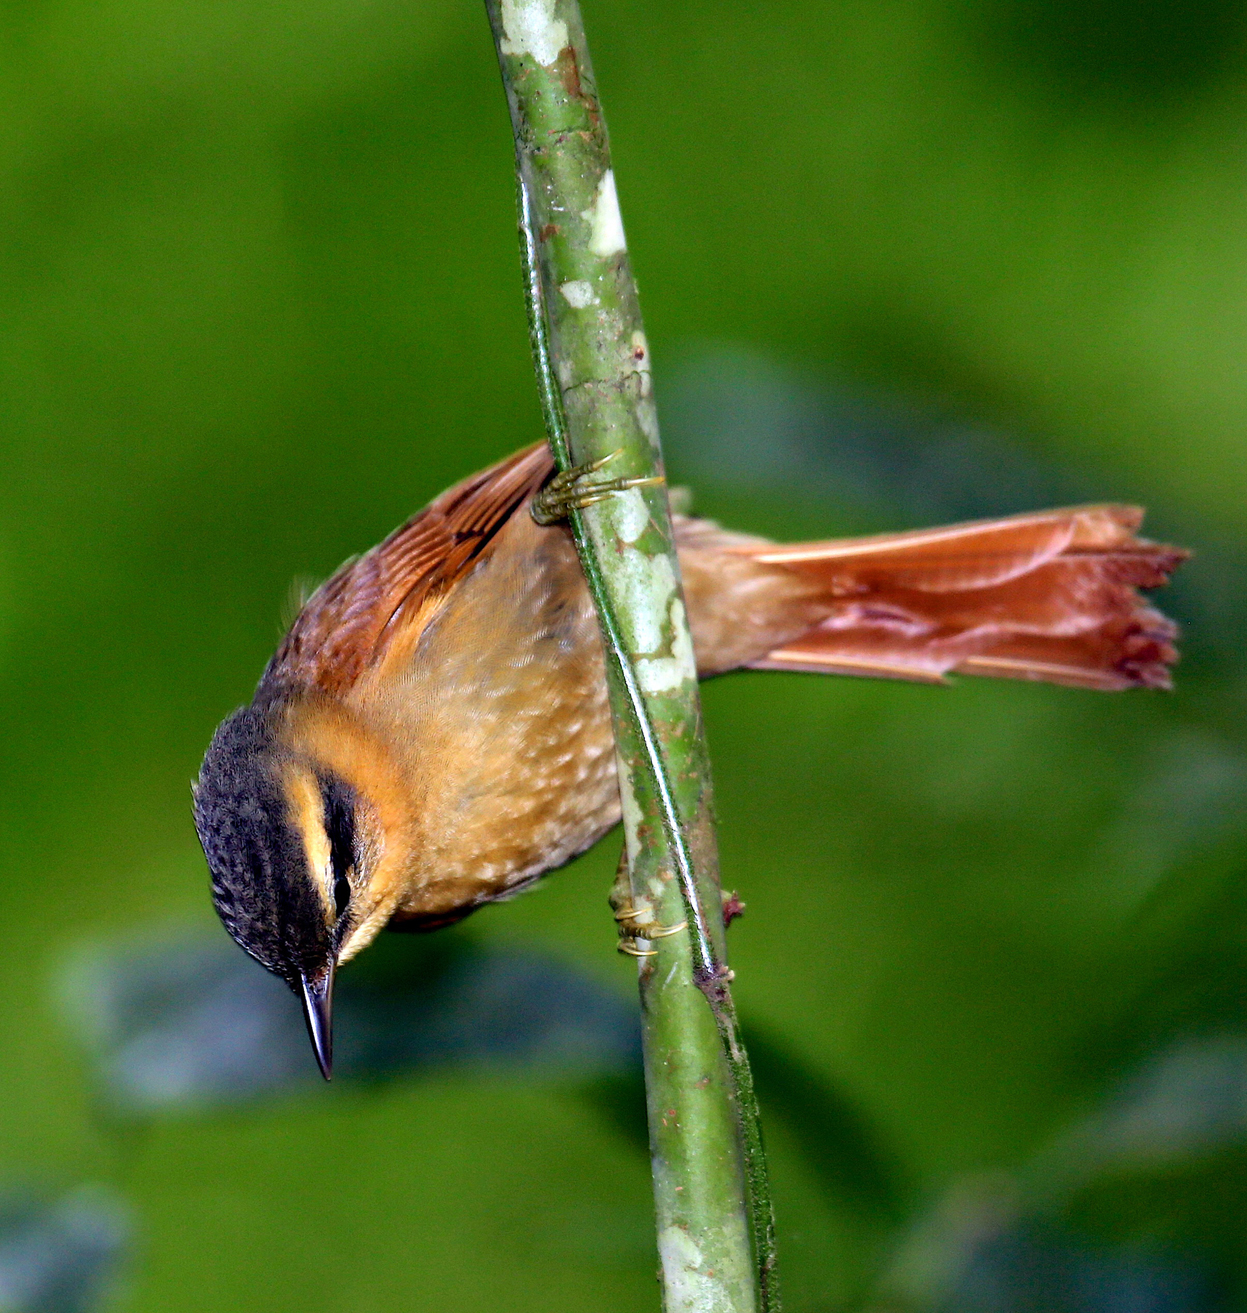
x=191, y=1021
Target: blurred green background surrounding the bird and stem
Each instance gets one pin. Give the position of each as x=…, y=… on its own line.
x=259, y=300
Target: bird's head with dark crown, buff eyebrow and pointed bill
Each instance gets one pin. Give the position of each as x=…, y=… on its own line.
x=295, y=844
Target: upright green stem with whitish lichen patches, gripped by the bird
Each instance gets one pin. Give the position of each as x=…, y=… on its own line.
x=715, y=1218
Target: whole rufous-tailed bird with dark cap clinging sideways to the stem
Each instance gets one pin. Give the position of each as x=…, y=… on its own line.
x=433, y=735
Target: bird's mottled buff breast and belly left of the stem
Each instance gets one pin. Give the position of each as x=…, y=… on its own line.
x=511, y=698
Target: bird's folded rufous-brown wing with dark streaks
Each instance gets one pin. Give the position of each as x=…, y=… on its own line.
x=349, y=623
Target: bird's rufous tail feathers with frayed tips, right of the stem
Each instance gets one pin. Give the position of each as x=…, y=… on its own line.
x=1048, y=597
